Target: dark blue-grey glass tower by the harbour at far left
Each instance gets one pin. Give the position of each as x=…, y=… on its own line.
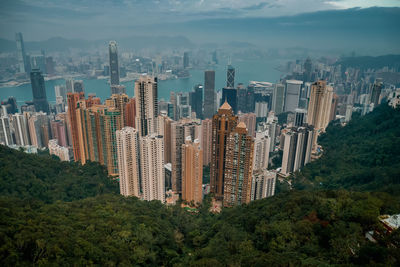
x=39, y=91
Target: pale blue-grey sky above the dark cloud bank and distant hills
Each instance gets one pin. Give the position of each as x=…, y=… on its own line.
x=93, y=19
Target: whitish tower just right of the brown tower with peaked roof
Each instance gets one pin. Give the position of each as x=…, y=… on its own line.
x=262, y=143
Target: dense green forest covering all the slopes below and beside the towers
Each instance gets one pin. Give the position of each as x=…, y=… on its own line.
x=58, y=213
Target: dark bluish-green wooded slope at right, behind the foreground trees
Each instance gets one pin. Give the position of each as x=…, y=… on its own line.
x=363, y=156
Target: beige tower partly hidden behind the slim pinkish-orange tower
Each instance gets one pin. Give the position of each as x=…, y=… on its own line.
x=179, y=131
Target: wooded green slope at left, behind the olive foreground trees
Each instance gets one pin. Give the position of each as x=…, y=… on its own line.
x=48, y=179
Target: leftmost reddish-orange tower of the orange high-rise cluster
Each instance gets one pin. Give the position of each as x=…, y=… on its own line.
x=73, y=99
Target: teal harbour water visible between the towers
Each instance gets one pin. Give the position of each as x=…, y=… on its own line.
x=245, y=71
